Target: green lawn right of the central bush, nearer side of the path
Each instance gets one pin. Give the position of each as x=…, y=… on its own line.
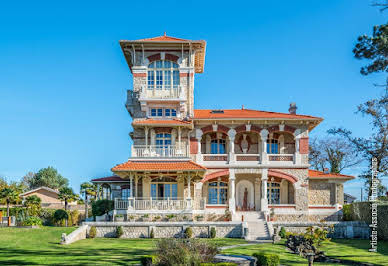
x=349, y=250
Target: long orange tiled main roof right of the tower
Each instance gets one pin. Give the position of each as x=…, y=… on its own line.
x=247, y=113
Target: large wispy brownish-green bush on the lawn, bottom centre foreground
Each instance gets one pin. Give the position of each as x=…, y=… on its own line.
x=184, y=251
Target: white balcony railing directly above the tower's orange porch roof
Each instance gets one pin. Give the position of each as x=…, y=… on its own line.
x=152, y=151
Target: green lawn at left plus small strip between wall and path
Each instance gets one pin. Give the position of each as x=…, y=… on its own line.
x=20, y=246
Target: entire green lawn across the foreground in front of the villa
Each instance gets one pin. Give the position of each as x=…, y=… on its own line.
x=41, y=246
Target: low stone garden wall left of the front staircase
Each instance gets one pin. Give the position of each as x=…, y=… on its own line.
x=167, y=230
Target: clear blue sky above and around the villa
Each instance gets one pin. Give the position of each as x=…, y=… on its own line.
x=63, y=78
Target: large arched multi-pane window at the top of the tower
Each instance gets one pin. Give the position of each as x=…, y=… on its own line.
x=163, y=74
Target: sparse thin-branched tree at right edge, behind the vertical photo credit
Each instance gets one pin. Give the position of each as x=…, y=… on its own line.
x=376, y=146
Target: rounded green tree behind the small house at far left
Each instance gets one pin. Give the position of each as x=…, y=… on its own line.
x=47, y=177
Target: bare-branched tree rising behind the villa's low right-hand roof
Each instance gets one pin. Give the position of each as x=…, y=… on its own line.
x=333, y=153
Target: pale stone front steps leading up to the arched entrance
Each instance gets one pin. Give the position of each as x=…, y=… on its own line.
x=257, y=226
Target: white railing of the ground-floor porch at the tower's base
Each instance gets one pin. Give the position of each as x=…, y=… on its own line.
x=160, y=204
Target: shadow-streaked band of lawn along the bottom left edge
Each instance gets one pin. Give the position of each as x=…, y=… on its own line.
x=72, y=256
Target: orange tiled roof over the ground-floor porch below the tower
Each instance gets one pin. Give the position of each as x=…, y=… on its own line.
x=158, y=166
